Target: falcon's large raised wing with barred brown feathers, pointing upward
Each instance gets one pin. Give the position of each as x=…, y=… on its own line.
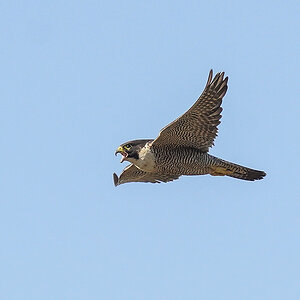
x=198, y=126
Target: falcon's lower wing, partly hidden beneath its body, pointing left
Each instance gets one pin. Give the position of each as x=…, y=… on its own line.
x=133, y=174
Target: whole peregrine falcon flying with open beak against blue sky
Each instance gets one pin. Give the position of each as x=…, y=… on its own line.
x=181, y=147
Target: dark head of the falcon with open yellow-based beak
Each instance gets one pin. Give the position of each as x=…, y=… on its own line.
x=130, y=150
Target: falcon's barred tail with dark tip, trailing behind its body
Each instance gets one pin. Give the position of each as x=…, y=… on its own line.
x=225, y=168
